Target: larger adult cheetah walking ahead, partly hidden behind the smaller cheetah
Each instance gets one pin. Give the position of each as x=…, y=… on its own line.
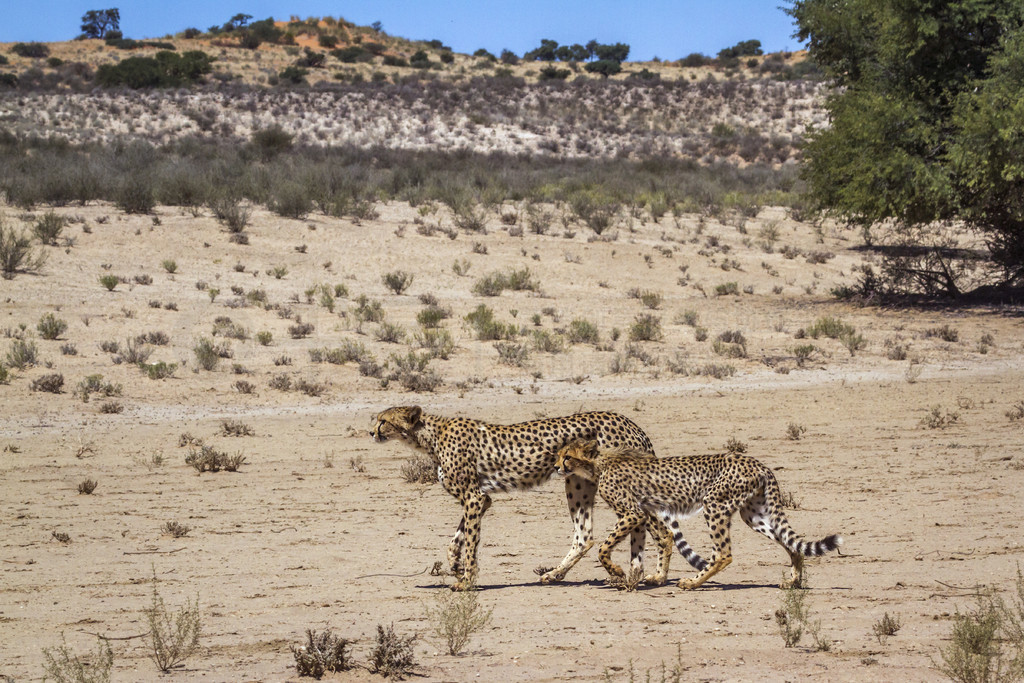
x=476, y=459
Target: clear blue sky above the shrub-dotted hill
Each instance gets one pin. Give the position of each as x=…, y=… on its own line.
x=667, y=29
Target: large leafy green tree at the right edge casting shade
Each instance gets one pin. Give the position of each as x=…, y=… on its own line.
x=927, y=132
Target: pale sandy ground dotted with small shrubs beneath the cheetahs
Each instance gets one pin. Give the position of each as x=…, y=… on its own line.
x=319, y=528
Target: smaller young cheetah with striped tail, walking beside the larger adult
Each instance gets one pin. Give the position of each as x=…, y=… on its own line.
x=636, y=486
